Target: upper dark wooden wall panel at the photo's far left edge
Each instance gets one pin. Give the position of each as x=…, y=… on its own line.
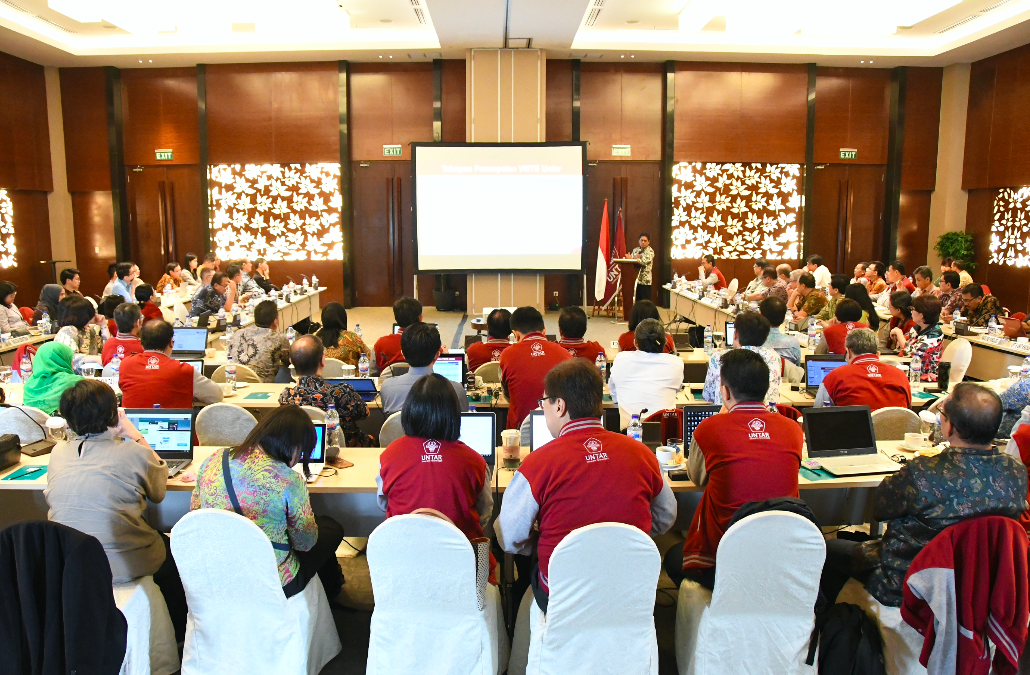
x=25, y=142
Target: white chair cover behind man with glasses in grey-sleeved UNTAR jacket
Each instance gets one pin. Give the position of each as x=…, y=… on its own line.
x=601, y=611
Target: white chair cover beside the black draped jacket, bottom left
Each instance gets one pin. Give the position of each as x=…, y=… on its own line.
x=151, y=646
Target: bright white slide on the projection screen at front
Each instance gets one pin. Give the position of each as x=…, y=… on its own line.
x=508, y=208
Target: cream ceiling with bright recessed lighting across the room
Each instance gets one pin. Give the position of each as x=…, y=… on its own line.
x=876, y=33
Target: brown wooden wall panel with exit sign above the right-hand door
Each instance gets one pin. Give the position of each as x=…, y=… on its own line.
x=852, y=111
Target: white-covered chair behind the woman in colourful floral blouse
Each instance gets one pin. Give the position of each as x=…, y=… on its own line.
x=239, y=620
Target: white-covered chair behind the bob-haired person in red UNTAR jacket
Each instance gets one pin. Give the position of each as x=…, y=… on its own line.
x=428, y=617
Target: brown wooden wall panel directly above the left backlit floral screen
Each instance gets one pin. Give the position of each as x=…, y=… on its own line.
x=282, y=113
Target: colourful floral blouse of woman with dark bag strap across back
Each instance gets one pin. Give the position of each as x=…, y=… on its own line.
x=271, y=494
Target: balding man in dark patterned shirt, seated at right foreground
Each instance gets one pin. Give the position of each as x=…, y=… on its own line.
x=969, y=480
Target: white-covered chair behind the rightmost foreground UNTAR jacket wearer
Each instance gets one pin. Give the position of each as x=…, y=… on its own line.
x=759, y=620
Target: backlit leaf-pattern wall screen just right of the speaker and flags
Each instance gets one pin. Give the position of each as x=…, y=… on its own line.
x=737, y=211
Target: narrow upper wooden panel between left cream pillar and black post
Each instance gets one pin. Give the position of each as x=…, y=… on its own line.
x=85, y=107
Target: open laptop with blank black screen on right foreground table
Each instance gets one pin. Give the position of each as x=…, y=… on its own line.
x=843, y=442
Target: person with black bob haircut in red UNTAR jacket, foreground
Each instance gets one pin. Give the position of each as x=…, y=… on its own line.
x=458, y=484
